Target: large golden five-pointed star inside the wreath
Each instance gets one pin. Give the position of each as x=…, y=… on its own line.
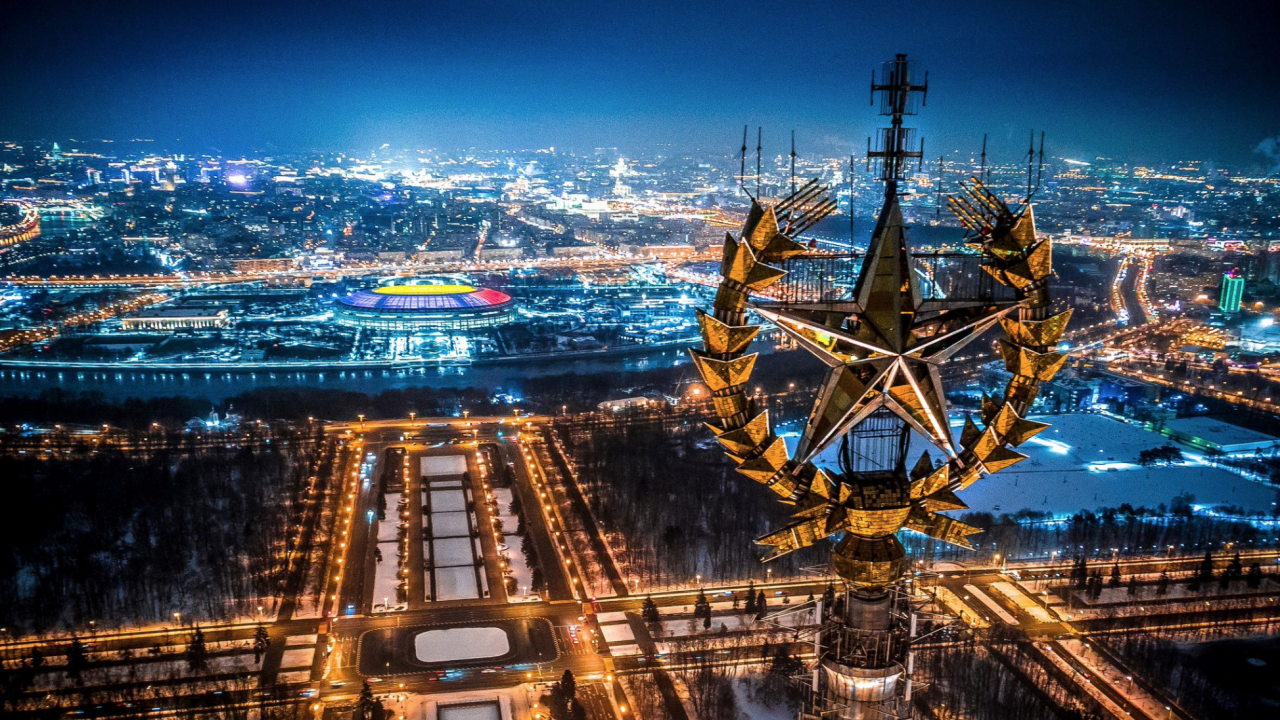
x=888, y=353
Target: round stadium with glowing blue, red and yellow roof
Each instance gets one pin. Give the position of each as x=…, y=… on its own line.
x=424, y=306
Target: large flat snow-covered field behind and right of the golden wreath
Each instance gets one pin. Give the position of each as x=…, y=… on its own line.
x=1086, y=462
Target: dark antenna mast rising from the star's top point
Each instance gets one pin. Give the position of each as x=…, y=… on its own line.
x=897, y=89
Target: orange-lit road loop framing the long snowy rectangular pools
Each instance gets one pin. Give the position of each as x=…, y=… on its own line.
x=380, y=648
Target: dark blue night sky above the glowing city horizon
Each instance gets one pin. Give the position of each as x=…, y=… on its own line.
x=1136, y=80
